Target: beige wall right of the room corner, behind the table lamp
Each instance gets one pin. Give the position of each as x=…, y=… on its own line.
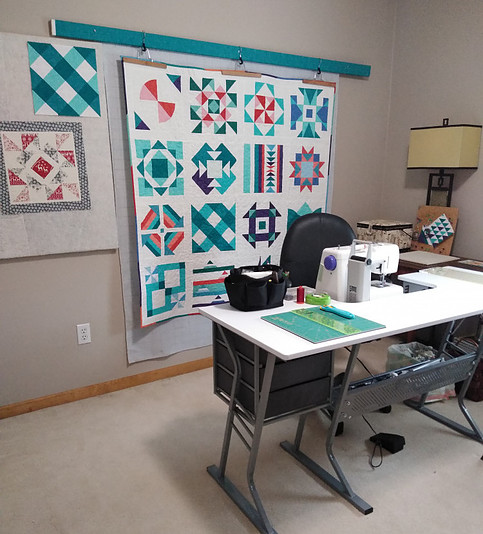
x=438, y=73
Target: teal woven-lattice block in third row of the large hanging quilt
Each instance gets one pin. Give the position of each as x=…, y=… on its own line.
x=213, y=226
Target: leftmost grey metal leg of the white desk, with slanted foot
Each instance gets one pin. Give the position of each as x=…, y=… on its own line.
x=256, y=514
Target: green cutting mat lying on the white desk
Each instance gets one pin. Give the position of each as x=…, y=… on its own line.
x=316, y=325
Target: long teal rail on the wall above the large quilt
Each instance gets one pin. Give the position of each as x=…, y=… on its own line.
x=103, y=34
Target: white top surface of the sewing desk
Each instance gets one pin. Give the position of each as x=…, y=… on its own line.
x=450, y=299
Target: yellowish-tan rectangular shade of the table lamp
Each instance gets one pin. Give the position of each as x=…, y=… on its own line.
x=444, y=147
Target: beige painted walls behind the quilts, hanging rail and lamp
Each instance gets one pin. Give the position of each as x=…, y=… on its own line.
x=43, y=298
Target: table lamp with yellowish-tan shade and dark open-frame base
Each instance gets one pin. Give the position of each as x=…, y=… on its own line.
x=443, y=147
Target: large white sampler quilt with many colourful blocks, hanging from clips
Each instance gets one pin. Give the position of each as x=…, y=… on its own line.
x=222, y=164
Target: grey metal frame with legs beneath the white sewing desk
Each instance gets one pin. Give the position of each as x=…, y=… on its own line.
x=346, y=402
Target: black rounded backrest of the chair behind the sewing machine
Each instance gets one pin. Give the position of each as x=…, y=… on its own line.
x=306, y=239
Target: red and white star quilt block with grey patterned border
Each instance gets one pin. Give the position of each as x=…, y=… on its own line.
x=42, y=167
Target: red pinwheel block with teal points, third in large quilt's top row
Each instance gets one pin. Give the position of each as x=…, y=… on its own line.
x=263, y=109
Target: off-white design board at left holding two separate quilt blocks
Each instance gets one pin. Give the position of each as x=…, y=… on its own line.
x=56, y=185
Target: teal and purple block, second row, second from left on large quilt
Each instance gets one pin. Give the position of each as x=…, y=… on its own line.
x=214, y=168
